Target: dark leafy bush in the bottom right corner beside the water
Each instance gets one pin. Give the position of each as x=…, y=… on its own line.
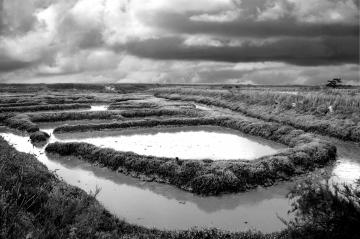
x=325, y=210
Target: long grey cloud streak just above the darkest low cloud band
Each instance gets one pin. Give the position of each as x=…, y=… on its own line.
x=286, y=26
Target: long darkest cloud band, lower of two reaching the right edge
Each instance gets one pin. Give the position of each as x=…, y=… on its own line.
x=298, y=51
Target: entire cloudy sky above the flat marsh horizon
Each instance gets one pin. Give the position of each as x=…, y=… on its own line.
x=179, y=41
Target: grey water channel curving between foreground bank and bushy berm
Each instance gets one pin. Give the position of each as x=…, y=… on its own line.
x=164, y=206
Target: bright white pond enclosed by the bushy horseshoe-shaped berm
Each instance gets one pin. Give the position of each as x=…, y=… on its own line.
x=185, y=142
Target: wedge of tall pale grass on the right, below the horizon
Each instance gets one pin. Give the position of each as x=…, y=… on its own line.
x=306, y=111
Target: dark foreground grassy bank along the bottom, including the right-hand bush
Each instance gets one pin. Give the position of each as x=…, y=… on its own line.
x=36, y=204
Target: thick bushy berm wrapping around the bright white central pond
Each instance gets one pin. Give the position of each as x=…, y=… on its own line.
x=208, y=177
